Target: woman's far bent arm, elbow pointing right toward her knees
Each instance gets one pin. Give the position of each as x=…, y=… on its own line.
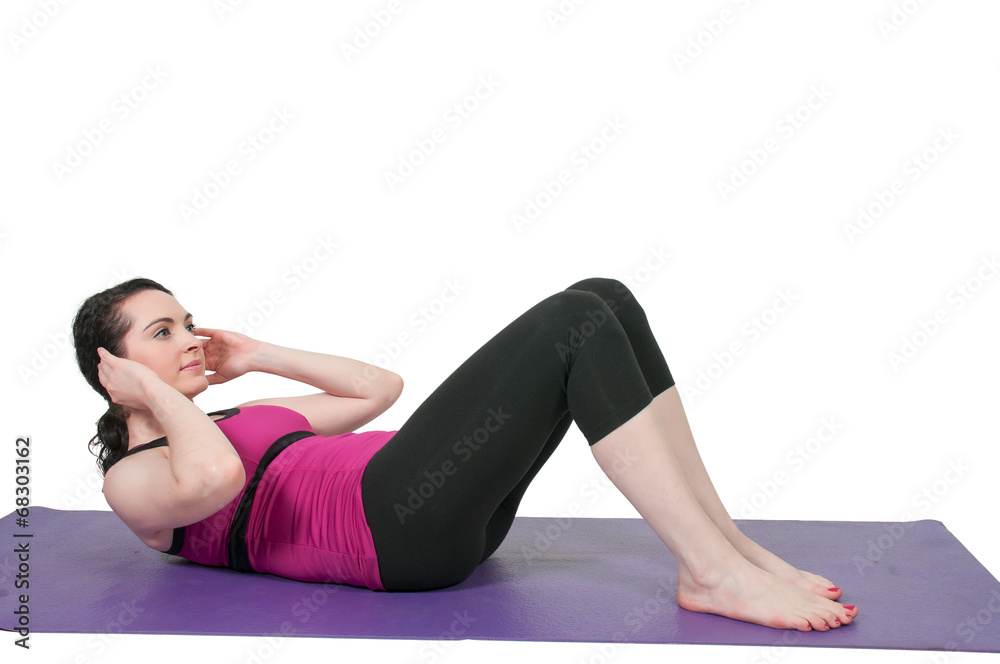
x=354, y=392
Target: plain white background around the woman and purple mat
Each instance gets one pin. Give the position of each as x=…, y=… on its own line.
x=843, y=97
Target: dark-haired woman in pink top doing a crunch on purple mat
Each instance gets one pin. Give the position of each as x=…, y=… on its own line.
x=285, y=486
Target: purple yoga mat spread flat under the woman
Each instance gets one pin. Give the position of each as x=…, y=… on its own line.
x=594, y=580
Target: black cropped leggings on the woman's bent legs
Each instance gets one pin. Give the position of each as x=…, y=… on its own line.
x=441, y=494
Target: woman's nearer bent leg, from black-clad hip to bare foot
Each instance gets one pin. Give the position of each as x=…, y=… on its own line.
x=599, y=381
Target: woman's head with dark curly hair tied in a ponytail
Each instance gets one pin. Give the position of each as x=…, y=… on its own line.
x=140, y=320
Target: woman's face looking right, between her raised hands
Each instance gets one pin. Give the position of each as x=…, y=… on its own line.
x=161, y=339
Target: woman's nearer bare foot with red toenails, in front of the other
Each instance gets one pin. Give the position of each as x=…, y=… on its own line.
x=743, y=591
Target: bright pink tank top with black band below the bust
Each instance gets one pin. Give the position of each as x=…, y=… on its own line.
x=300, y=513
